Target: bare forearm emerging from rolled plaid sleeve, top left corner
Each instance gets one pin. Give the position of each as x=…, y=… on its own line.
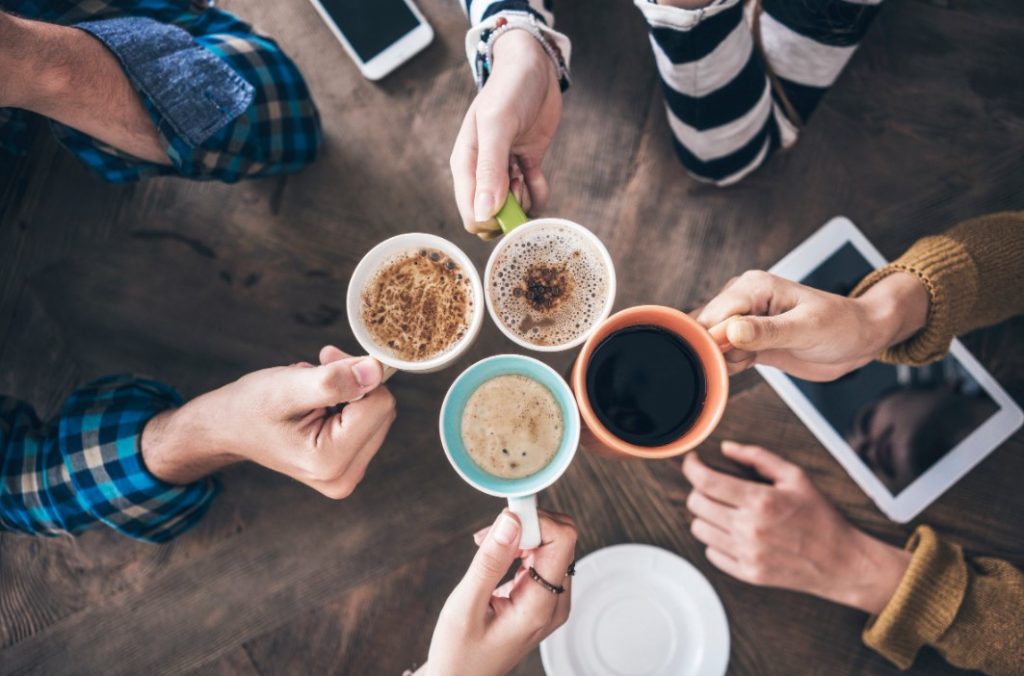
x=67, y=75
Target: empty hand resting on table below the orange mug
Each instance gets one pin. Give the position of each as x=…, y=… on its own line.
x=786, y=534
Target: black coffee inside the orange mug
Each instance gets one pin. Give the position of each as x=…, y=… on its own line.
x=647, y=386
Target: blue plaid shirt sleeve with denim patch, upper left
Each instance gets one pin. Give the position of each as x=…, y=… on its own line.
x=228, y=103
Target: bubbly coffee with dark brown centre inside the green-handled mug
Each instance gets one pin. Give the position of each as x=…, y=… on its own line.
x=549, y=287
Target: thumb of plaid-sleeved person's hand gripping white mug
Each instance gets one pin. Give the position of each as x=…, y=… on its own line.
x=336, y=383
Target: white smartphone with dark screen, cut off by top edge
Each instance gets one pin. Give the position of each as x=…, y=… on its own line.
x=379, y=35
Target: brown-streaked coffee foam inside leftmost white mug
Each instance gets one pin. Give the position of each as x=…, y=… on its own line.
x=418, y=305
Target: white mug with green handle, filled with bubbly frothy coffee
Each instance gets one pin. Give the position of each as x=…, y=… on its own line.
x=549, y=283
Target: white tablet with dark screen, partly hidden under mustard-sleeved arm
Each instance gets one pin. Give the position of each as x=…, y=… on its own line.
x=905, y=435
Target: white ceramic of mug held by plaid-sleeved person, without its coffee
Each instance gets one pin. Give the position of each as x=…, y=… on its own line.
x=364, y=274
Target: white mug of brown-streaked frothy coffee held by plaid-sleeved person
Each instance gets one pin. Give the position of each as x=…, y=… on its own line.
x=415, y=304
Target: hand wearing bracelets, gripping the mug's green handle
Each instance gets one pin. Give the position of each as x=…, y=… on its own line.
x=508, y=128
